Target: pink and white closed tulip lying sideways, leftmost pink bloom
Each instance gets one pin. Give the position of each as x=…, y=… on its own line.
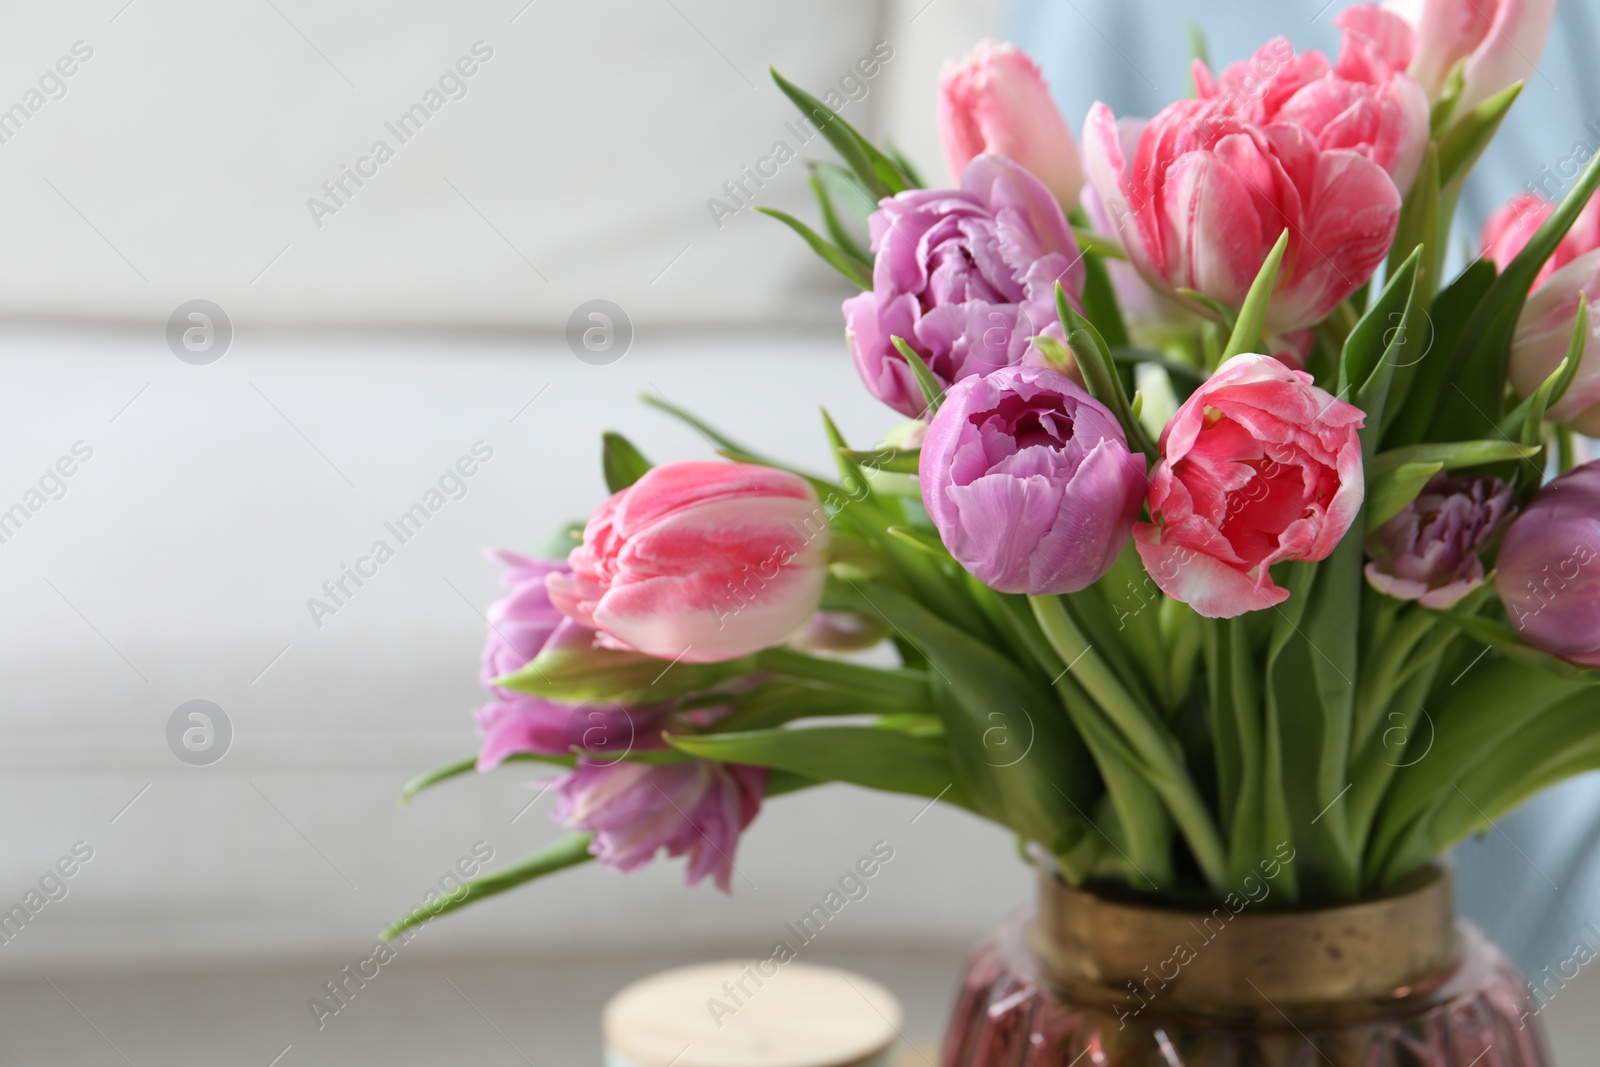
x=700, y=562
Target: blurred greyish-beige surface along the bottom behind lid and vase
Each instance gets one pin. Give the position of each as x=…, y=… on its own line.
x=431, y=1010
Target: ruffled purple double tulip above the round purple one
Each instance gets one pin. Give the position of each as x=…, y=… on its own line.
x=964, y=276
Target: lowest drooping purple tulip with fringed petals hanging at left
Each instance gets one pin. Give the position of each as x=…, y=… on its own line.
x=634, y=810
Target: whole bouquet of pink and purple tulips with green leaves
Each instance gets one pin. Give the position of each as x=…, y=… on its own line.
x=1230, y=522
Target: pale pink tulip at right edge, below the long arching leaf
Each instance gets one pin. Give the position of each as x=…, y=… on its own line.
x=1545, y=330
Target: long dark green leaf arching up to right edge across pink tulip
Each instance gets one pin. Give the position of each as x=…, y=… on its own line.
x=1478, y=367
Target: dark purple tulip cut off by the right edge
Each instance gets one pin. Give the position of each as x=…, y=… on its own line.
x=1548, y=572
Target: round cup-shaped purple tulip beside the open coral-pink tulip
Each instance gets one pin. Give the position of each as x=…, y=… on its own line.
x=1030, y=481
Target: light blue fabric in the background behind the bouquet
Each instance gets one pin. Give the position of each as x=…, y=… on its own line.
x=1534, y=882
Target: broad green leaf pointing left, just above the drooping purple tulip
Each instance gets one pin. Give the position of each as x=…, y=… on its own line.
x=862, y=756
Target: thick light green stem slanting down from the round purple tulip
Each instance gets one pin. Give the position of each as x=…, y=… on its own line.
x=1150, y=740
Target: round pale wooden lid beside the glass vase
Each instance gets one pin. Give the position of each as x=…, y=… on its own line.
x=791, y=1015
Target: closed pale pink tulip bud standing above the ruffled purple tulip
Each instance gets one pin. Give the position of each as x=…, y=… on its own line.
x=998, y=102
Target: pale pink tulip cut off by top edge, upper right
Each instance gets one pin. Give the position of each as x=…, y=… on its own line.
x=1498, y=41
